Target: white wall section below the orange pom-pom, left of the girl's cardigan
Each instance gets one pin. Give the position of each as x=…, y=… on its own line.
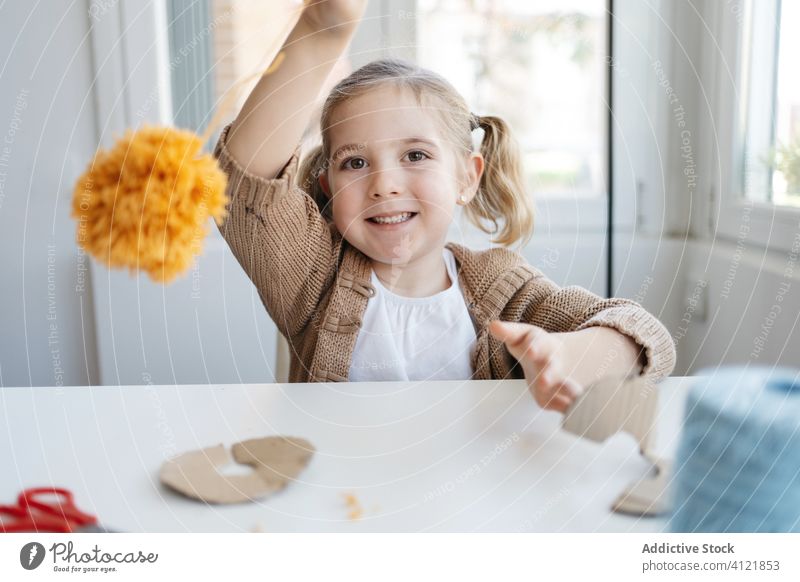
x=208, y=327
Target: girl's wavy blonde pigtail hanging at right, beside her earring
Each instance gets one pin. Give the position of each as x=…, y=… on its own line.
x=502, y=193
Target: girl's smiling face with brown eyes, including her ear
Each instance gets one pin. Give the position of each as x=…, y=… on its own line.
x=394, y=179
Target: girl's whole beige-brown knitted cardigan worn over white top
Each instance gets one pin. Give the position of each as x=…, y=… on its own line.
x=315, y=285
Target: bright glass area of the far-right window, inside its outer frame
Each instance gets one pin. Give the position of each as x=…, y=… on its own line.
x=770, y=102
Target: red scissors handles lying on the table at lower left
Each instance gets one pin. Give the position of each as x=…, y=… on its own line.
x=32, y=513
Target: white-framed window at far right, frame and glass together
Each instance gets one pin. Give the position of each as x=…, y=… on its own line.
x=756, y=99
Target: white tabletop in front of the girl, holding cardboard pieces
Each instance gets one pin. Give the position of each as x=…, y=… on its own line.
x=437, y=456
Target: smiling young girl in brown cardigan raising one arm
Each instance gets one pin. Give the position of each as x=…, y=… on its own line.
x=349, y=252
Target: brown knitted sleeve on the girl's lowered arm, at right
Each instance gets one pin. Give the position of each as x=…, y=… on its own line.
x=573, y=308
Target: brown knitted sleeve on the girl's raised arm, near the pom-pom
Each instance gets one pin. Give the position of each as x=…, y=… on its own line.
x=280, y=239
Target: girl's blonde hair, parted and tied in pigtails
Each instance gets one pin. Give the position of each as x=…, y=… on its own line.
x=501, y=196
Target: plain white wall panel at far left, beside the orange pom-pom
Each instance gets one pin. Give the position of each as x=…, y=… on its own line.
x=47, y=134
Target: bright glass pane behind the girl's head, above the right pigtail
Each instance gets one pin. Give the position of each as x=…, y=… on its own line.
x=538, y=65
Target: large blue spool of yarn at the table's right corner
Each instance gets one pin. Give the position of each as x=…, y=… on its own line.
x=738, y=462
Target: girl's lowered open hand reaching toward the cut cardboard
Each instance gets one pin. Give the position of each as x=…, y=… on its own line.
x=543, y=358
